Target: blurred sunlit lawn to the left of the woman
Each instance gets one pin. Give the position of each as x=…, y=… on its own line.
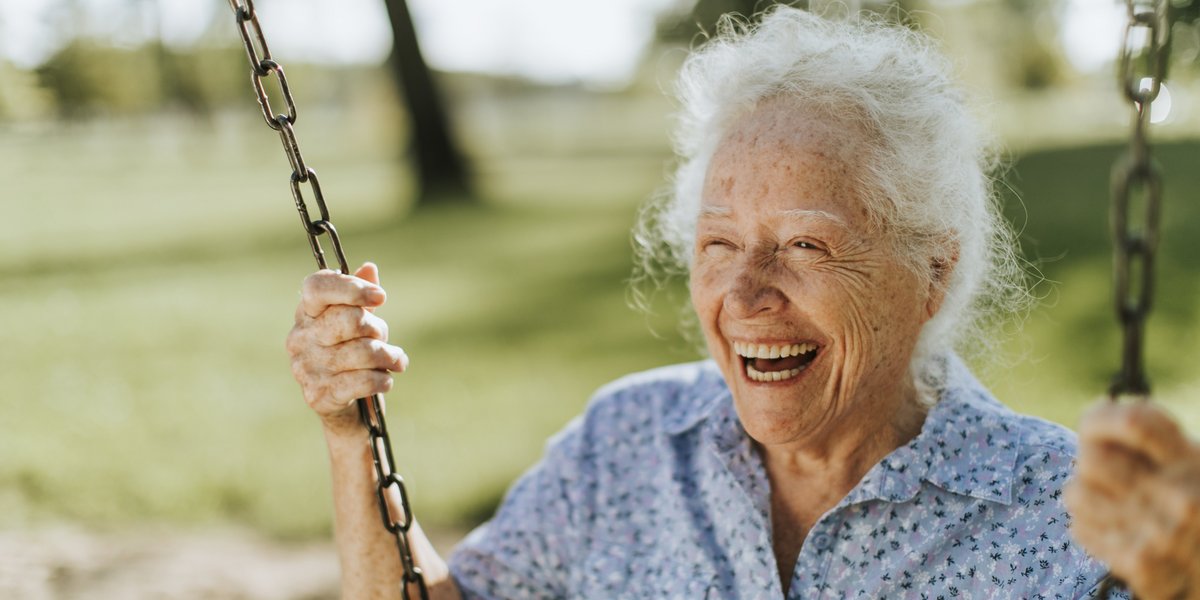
x=145, y=374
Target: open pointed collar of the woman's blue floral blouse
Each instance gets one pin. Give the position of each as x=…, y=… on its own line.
x=967, y=446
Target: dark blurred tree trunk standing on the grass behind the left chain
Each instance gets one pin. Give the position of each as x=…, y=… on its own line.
x=441, y=167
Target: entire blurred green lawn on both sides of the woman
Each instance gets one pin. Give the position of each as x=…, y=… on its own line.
x=149, y=271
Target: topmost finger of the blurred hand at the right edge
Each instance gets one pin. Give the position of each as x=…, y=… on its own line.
x=1141, y=427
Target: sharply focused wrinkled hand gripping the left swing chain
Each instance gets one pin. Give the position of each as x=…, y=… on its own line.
x=339, y=346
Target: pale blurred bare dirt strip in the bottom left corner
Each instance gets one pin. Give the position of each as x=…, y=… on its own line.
x=166, y=565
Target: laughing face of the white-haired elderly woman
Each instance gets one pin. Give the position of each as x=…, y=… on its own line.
x=807, y=310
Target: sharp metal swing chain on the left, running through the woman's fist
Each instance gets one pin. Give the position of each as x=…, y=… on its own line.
x=371, y=411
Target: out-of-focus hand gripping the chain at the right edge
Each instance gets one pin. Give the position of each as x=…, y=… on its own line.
x=1136, y=500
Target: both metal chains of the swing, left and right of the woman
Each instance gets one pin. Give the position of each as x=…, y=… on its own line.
x=1137, y=178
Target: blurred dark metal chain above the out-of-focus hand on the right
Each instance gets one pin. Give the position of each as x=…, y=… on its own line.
x=1137, y=178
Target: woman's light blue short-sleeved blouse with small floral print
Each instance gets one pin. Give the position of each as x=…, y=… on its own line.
x=658, y=493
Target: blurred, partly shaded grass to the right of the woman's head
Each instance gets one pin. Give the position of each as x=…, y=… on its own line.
x=1070, y=349
